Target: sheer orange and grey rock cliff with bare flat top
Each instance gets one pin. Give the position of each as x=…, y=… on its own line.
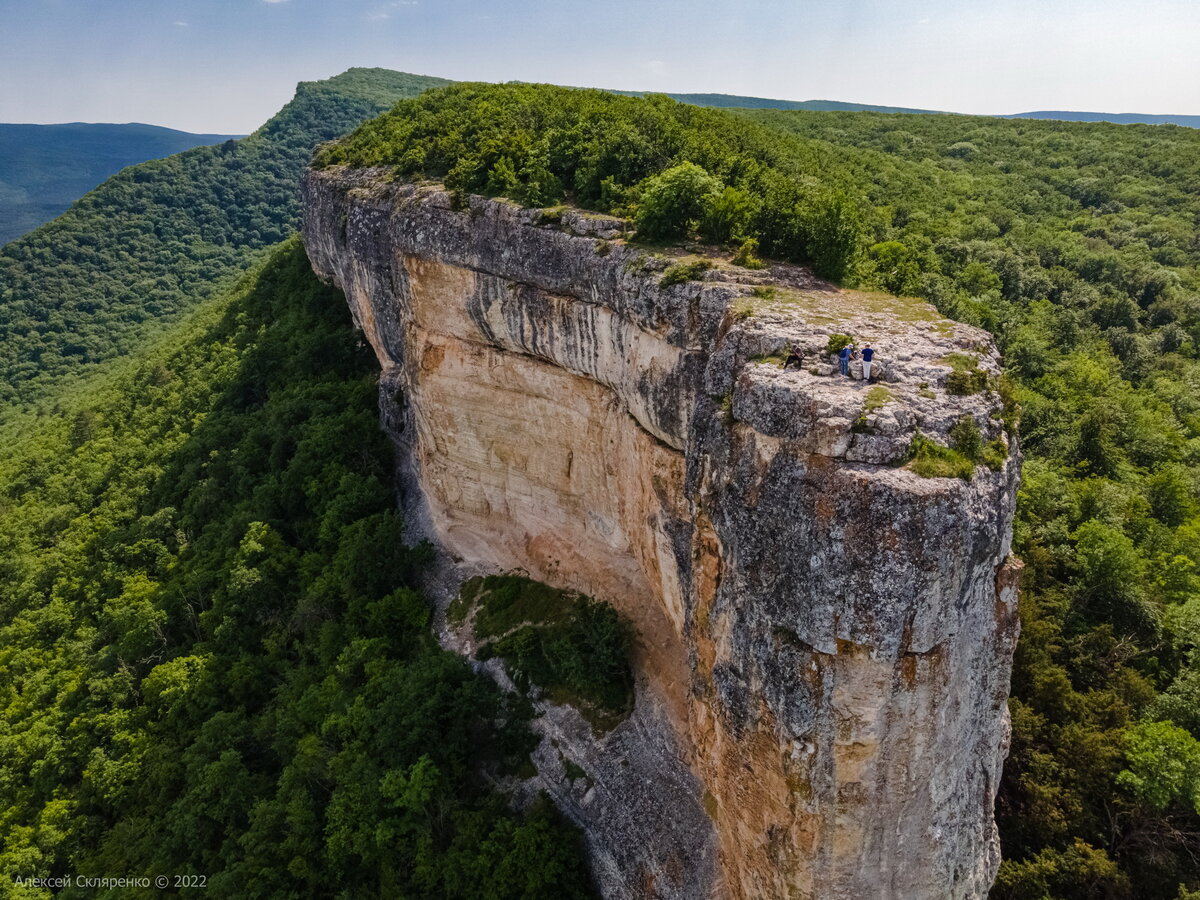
x=829, y=637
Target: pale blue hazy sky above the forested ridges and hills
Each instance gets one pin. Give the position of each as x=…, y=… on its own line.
x=226, y=67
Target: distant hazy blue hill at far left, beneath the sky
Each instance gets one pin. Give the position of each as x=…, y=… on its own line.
x=45, y=169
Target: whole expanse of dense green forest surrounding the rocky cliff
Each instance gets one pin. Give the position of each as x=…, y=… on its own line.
x=196, y=592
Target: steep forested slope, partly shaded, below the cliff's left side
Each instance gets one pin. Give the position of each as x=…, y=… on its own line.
x=213, y=661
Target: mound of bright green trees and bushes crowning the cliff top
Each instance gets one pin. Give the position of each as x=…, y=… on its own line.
x=674, y=167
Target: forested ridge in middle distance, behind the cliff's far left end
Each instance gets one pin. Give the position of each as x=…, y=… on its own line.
x=157, y=238
